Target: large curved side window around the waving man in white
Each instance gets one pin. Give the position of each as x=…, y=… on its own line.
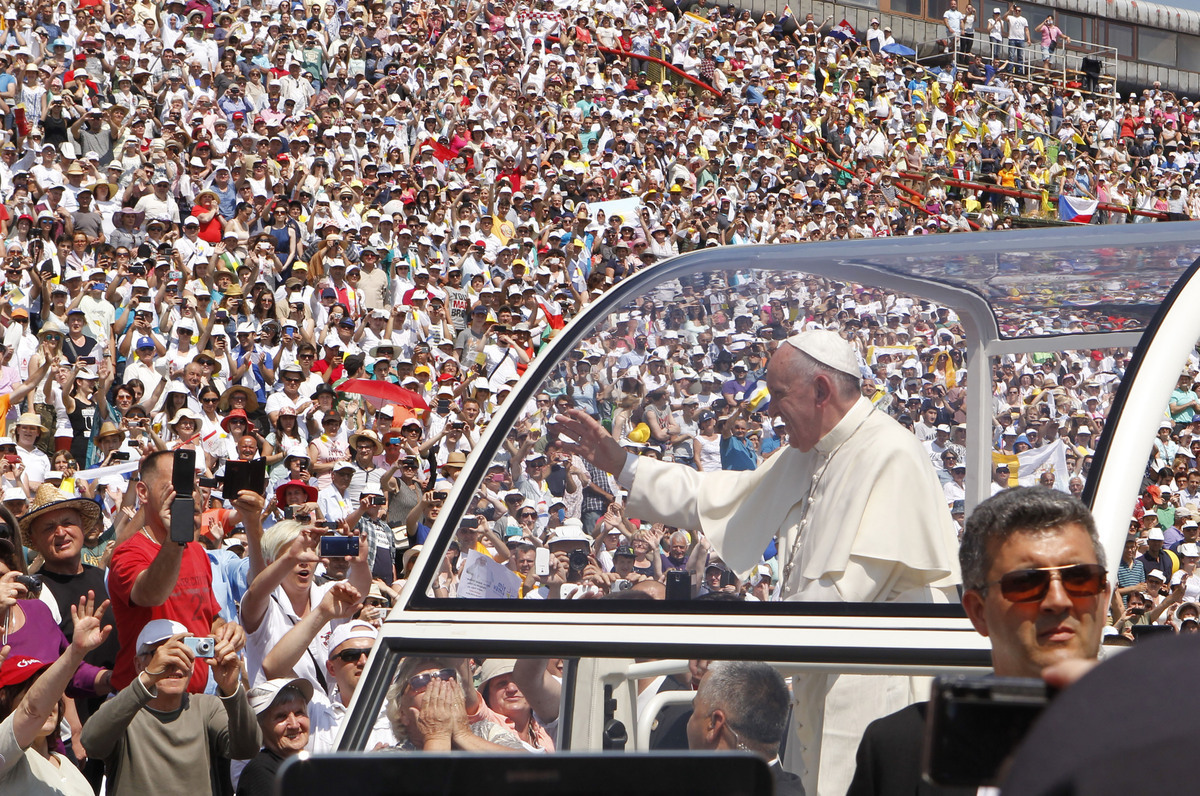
x=681, y=376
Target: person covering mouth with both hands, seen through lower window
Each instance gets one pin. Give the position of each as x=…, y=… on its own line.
x=428, y=707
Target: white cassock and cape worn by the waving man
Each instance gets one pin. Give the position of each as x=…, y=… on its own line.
x=861, y=519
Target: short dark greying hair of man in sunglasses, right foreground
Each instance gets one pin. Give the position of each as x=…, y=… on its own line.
x=1022, y=510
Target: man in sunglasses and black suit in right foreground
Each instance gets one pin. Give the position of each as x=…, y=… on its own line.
x=1035, y=584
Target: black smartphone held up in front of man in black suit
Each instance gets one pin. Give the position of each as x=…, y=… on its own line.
x=975, y=723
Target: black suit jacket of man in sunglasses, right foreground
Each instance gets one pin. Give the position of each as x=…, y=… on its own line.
x=889, y=761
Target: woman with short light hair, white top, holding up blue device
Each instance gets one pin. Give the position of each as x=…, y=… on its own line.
x=283, y=591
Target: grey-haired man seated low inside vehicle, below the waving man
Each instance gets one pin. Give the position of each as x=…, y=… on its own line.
x=743, y=707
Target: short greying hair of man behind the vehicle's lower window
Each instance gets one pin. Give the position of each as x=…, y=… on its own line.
x=754, y=698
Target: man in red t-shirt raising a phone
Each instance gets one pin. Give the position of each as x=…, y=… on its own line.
x=152, y=578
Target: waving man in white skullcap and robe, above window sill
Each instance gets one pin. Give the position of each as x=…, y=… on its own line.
x=854, y=502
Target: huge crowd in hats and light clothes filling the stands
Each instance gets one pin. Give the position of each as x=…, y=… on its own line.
x=215, y=218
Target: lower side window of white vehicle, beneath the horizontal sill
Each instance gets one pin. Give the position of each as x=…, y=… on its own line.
x=649, y=704
